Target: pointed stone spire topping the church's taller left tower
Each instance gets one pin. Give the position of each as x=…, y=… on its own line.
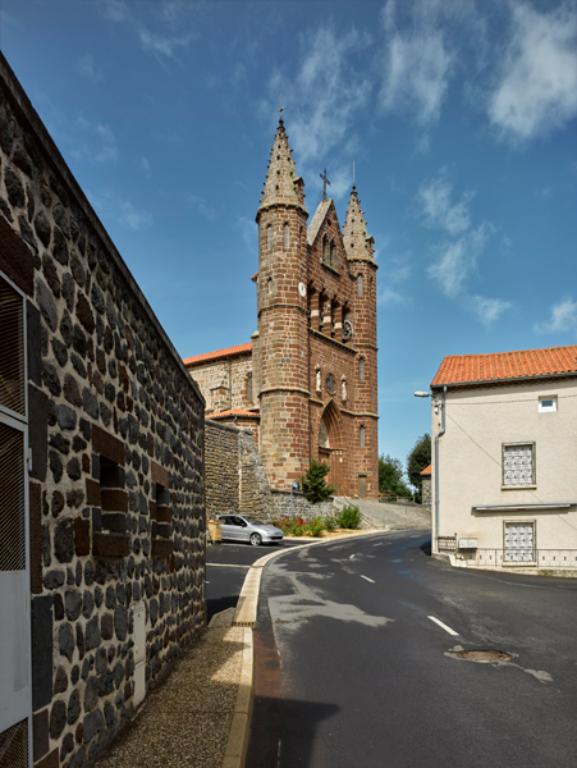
x=282, y=185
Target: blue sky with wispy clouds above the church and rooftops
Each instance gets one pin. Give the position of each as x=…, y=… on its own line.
x=460, y=116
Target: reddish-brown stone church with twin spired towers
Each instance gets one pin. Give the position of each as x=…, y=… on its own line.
x=306, y=386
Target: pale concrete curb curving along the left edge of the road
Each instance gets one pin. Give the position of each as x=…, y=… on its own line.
x=245, y=617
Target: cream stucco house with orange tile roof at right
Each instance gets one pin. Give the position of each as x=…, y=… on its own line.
x=504, y=489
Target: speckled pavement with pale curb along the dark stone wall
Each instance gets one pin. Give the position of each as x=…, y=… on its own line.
x=188, y=721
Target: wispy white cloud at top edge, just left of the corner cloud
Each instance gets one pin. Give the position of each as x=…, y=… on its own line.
x=417, y=62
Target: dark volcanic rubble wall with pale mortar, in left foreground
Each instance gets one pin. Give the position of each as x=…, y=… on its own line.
x=116, y=494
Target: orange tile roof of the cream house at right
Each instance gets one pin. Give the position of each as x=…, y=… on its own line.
x=507, y=366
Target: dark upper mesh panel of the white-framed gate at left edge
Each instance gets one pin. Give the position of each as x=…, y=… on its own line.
x=11, y=349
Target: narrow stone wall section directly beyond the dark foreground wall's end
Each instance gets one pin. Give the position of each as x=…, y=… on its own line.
x=221, y=469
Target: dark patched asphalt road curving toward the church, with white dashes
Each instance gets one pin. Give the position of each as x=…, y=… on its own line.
x=352, y=666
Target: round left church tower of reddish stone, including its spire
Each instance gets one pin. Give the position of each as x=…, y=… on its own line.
x=280, y=347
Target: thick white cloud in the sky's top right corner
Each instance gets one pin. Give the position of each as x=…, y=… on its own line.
x=537, y=90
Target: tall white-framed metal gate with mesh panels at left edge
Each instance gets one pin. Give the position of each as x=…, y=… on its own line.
x=15, y=687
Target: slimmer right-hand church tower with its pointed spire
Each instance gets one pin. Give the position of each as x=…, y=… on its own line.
x=359, y=247
